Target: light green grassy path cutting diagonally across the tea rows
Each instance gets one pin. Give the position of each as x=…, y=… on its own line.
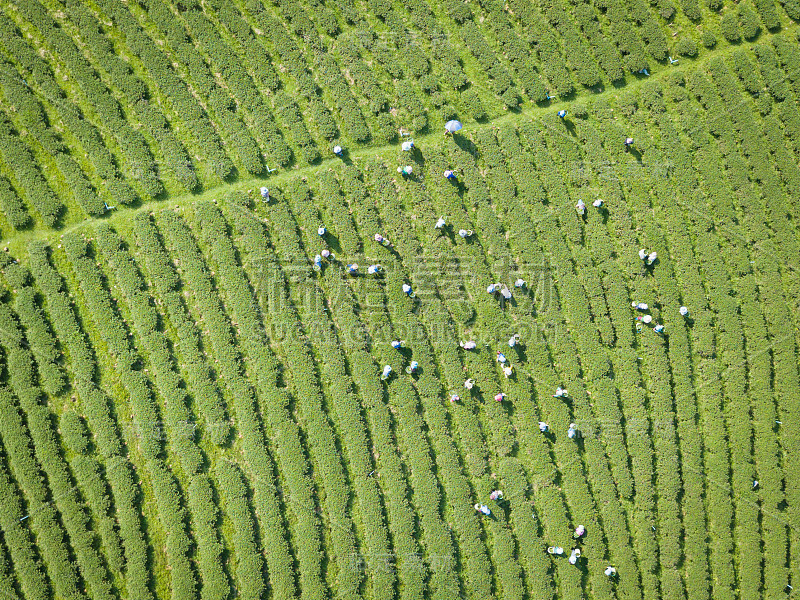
x=121, y=216
